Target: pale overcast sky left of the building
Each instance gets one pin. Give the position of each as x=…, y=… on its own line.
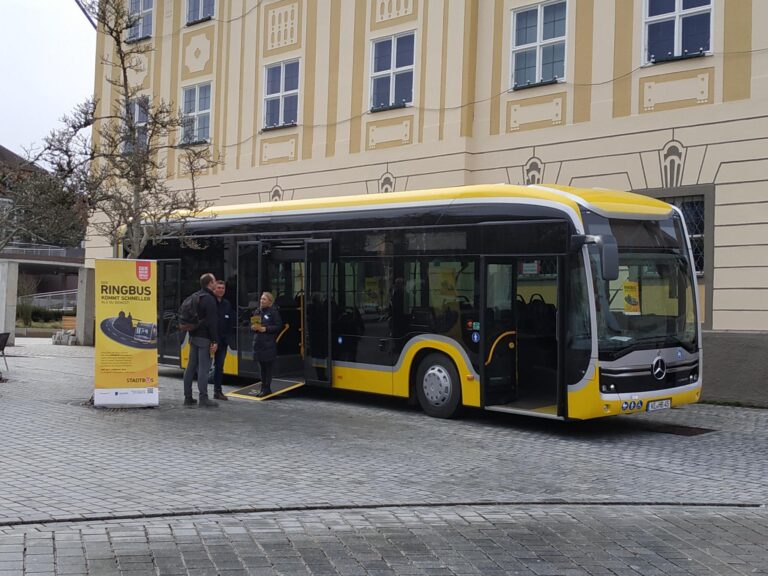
x=47, y=60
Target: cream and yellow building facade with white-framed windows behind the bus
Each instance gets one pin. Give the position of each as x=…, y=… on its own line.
x=305, y=98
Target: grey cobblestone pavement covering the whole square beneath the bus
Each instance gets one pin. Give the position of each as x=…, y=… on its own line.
x=323, y=482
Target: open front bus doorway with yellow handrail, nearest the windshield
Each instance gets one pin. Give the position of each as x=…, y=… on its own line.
x=520, y=366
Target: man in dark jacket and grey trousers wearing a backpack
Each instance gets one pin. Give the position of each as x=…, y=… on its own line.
x=203, y=342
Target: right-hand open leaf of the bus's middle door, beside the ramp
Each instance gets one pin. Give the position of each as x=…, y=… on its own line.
x=318, y=310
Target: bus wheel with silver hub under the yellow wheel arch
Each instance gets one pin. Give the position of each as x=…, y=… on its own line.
x=437, y=386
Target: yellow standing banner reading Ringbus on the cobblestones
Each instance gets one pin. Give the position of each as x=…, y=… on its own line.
x=126, y=333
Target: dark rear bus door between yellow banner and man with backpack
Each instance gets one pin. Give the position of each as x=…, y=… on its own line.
x=169, y=337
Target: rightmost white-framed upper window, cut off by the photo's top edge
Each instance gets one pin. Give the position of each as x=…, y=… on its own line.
x=677, y=28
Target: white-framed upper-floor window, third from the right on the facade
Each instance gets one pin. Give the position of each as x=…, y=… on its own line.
x=392, y=71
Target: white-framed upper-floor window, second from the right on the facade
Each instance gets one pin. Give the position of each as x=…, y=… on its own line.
x=538, y=44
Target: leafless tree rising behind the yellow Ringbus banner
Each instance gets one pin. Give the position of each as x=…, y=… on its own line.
x=118, y=160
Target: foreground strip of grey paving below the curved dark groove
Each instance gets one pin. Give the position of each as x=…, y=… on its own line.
x=537, y=540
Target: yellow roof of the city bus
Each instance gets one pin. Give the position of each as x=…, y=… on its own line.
x=610, y=203
